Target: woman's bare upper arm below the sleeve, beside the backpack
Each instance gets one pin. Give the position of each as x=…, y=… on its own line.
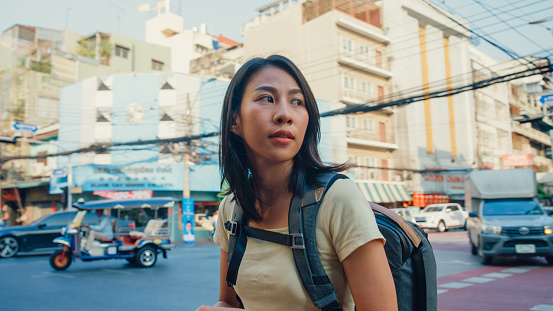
x=369, y=278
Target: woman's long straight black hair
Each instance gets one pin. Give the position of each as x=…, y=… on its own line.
x=233, y=159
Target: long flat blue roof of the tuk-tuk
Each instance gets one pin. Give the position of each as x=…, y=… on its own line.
x=133, y=203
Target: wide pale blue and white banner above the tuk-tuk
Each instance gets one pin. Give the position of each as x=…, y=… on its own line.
x=141, y=176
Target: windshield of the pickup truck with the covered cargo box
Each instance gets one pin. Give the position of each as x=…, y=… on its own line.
x=511, y=207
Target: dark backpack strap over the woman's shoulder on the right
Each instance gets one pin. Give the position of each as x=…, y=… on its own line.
x=302, y=220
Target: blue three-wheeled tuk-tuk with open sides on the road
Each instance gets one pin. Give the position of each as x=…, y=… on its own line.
x=140, y=233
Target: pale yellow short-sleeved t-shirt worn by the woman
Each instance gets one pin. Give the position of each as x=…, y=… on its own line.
x=267, y=277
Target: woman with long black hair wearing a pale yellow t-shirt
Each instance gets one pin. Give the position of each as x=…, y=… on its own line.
x=270, y=130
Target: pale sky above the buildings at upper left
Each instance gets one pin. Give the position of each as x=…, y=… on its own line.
x=224, y=17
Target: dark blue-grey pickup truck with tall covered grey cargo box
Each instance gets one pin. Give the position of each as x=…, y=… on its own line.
x=505, y=218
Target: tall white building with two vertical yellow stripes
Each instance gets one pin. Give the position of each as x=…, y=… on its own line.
x=429, y=52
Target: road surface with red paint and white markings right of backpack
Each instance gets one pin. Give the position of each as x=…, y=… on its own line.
x=508, y=284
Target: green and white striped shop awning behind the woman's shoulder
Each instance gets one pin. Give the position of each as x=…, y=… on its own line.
x=384, y=192
